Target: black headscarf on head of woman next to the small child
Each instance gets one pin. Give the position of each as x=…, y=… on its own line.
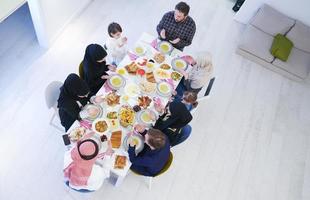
x=93, y=53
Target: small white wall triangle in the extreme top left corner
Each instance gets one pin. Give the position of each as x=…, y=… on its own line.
x=7, y=7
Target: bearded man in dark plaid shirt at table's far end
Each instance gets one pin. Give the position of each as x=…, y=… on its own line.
x=177, y=27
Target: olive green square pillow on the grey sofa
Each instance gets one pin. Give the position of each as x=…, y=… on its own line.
x=281, y=47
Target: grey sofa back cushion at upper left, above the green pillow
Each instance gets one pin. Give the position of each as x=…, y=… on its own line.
x=272, y=21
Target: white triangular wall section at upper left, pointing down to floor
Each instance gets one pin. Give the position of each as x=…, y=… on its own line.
x=51, y=16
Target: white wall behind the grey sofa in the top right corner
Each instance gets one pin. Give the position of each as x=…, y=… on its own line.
x=297, y=9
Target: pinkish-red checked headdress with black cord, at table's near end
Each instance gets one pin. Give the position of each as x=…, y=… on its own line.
x=80, y=169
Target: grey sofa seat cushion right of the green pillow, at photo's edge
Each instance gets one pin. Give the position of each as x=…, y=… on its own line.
x=298, y=63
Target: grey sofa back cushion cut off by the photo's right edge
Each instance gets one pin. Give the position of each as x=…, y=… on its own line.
x=300, y=36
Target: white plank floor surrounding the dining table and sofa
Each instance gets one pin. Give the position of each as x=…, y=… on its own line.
x=250, y=141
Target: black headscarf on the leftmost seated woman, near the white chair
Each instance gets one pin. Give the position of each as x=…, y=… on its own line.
x=74, y=87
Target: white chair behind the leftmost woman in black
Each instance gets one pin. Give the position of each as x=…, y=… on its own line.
x=52, y=92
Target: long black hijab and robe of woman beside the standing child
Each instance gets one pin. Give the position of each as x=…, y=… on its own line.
x=93, y=70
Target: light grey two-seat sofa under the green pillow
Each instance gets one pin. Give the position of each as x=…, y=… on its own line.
x=258, y=37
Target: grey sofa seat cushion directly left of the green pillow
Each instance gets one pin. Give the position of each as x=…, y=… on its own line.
x=257, y=43
